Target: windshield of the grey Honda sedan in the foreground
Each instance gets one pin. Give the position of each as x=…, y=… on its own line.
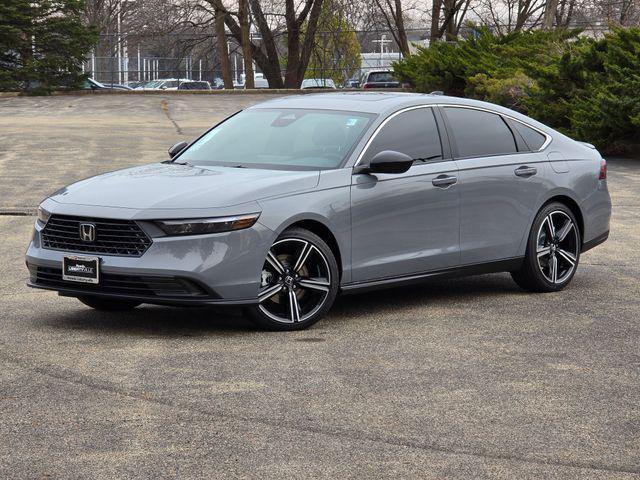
x=280, y=138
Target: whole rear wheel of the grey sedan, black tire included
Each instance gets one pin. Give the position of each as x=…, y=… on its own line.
x=553, y=250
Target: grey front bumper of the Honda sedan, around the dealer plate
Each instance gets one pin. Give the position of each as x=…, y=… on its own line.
x=217, y=269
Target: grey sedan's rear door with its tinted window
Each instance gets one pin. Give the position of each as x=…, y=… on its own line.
x=501, y=183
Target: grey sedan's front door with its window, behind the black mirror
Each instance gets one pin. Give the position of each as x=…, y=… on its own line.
x=406, y=223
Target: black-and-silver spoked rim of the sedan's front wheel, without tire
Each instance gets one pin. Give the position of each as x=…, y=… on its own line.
x=298, y=283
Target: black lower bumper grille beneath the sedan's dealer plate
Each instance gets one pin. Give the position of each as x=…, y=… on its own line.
x=117, y=284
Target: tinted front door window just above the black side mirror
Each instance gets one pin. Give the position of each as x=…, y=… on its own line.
x=414, y=133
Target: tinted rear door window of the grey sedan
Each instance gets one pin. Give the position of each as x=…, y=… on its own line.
x=478, y=133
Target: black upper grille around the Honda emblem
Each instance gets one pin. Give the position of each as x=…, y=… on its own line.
x=122, y=238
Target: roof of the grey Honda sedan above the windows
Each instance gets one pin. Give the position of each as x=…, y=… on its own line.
x=383, y=103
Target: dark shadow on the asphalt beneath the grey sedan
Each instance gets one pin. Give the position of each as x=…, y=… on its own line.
x=159, y=321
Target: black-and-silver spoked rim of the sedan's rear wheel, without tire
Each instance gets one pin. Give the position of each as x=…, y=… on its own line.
x=557, y=247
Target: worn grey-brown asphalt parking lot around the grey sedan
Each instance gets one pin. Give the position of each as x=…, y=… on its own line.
x=469, y=378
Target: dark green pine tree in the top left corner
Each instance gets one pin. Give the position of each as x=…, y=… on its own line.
x=42, y=44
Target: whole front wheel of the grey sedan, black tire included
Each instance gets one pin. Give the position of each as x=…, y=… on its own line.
x=299, y=282
